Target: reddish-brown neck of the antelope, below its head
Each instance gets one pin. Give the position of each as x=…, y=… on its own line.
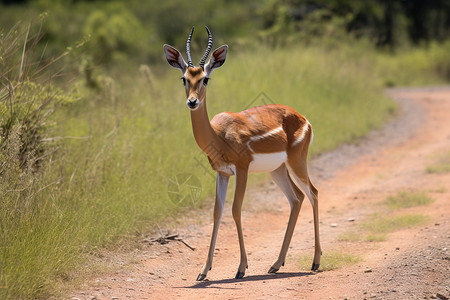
x=204, y=134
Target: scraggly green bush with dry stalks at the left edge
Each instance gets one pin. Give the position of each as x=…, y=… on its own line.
x=25, y=104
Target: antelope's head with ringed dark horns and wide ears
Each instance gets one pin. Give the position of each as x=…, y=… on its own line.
x=195, y=78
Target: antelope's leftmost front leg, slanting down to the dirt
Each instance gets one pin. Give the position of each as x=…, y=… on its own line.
x=221, y=192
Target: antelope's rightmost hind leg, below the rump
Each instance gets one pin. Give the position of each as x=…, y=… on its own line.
x=299, y=175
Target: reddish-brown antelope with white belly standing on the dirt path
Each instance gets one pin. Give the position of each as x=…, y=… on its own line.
x=270, y=138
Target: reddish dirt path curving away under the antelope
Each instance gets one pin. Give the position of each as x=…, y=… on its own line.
x=411, y=264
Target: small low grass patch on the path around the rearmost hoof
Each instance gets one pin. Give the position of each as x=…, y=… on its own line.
x=331, y=260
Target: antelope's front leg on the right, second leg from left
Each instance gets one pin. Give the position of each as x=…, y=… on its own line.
x=241, y=183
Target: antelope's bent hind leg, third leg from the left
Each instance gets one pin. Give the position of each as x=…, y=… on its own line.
x=295, y=196
